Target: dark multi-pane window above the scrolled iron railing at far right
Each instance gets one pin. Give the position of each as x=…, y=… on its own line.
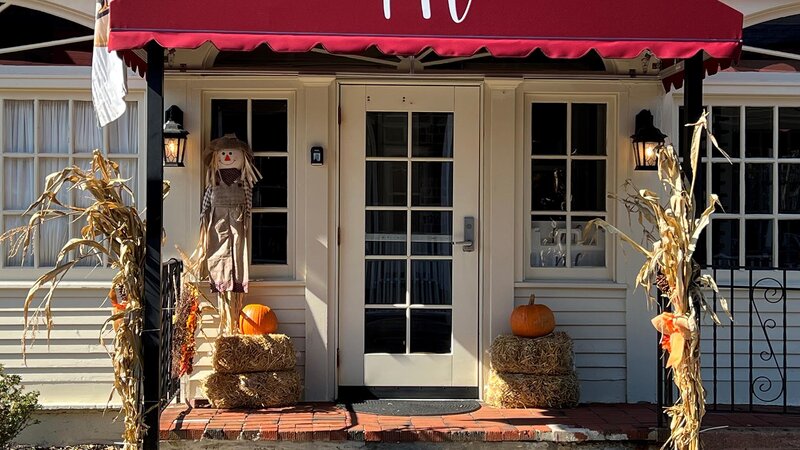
x=759, y=223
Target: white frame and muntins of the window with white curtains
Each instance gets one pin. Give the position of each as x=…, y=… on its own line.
x=93, y=272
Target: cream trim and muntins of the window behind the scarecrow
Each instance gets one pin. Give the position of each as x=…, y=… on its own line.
x=266, y=272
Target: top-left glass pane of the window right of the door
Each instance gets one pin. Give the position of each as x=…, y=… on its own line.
x=549, y=128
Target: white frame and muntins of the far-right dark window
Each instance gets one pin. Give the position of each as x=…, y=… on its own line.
x=711, y=156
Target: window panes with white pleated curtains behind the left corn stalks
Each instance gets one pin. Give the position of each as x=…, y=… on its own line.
x=40, y=135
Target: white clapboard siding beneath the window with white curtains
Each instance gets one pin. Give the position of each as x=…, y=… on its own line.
x=73, y=368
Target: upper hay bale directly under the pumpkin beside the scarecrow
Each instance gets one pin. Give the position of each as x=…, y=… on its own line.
x=253, y=353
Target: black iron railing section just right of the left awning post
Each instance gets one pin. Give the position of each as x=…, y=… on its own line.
x=170, y=293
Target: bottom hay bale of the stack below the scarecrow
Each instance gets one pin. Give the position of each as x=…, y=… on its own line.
x=253, y=390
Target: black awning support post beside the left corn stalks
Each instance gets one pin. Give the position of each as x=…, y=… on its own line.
x=151, y=332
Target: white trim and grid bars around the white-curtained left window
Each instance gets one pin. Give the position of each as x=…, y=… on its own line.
x=89, y=273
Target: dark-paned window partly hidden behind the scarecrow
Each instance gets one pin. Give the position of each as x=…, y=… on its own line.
x=264, y=123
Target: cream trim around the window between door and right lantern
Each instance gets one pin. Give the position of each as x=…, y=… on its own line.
x=524, y=189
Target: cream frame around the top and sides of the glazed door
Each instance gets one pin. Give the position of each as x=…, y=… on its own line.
x=482, y=235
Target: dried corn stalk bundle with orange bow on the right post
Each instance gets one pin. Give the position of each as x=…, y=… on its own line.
x=671, y=232
